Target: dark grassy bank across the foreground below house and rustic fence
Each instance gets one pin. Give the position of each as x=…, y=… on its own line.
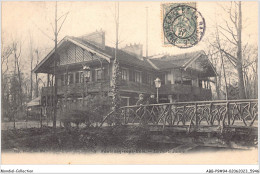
x=108, y=139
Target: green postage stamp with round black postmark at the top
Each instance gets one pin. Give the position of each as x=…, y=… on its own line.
x=183, y=26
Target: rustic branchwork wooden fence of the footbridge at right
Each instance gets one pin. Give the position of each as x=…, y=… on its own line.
x=199, y=113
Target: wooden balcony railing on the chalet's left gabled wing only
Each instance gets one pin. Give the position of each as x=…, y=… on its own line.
x=77, y=88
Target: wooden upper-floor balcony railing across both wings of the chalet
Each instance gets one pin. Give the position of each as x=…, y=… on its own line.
x=77, y=88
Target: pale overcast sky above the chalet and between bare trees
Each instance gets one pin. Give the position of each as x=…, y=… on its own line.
x=22, y=19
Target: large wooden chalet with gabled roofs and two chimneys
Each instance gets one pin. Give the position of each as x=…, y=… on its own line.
x=184, y=77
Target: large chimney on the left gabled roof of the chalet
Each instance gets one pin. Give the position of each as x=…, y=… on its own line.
x=96, y=38
